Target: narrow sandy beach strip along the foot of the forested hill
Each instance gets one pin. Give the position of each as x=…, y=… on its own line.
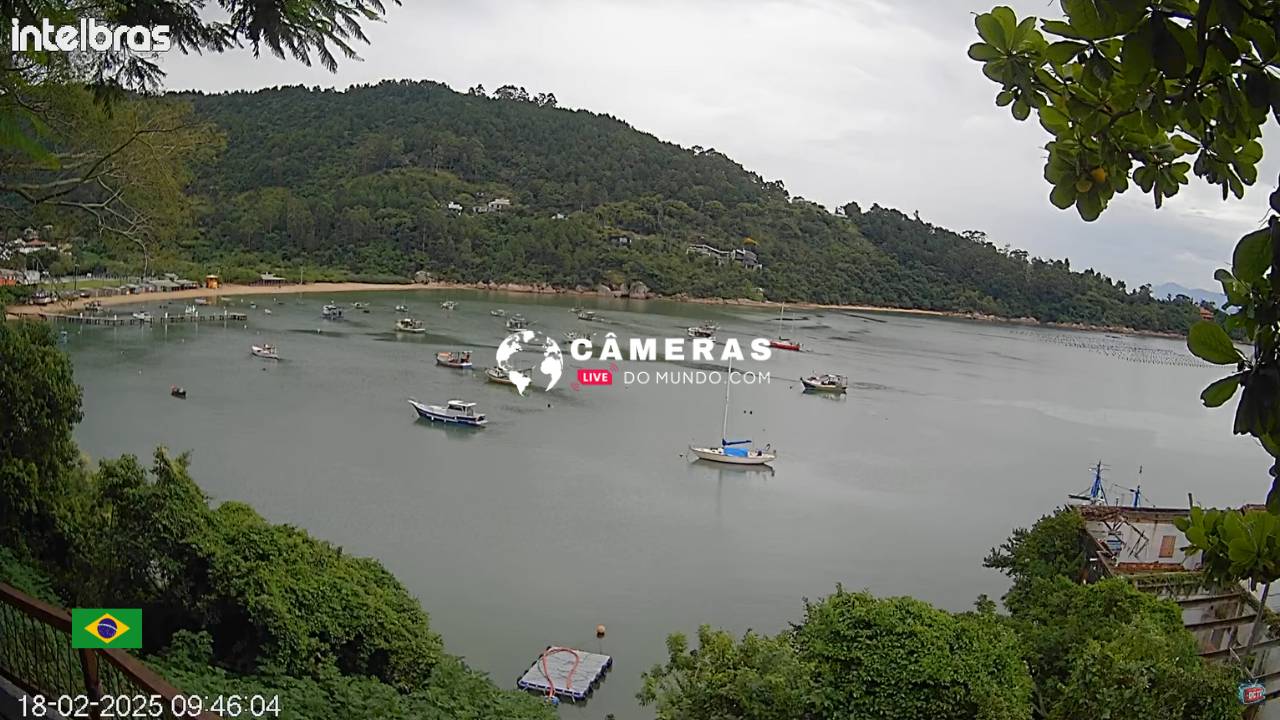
x=321, y=289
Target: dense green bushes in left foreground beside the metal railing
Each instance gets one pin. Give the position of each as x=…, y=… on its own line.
x=232, y=603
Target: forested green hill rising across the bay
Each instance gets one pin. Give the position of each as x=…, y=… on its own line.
x=363, y=180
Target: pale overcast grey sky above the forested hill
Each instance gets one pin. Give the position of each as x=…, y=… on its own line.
x=862, y=101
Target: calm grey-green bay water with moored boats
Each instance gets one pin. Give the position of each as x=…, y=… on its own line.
x=579, y=508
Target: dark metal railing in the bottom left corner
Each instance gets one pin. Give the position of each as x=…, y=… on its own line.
x=36, y=655
